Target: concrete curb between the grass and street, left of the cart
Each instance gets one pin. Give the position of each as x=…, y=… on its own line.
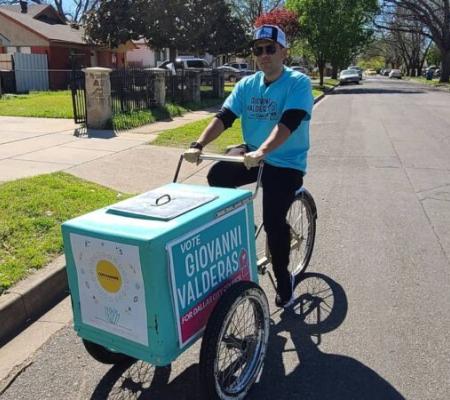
x=32, y=297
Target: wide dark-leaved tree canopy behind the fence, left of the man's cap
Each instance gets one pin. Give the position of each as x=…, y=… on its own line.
x=188, y=26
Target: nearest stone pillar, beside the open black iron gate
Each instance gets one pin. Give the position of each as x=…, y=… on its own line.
x=98, y=97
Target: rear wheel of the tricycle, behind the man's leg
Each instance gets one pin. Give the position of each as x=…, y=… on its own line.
x=302, y=220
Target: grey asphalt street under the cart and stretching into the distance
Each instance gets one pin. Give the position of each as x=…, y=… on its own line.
x=380, y=174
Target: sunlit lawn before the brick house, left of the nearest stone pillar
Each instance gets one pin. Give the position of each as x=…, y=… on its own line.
x=38, y=104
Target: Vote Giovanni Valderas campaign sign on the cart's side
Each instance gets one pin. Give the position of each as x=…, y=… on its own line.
x=203, y=264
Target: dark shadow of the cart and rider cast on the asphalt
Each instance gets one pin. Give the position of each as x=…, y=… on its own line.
x=320, y=307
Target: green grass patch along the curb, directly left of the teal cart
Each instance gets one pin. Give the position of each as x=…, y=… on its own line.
x=31, y=213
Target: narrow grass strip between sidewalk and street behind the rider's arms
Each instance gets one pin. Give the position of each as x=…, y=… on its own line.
x=186, y=134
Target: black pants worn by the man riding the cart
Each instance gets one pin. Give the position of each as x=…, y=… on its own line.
x=279, y=187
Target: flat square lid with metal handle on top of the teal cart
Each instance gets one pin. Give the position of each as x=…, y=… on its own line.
x=163, y=203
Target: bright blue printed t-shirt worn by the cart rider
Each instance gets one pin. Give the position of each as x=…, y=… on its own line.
x=260, y=108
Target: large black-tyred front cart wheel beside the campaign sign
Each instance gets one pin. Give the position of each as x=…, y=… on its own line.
x=235, y=342
